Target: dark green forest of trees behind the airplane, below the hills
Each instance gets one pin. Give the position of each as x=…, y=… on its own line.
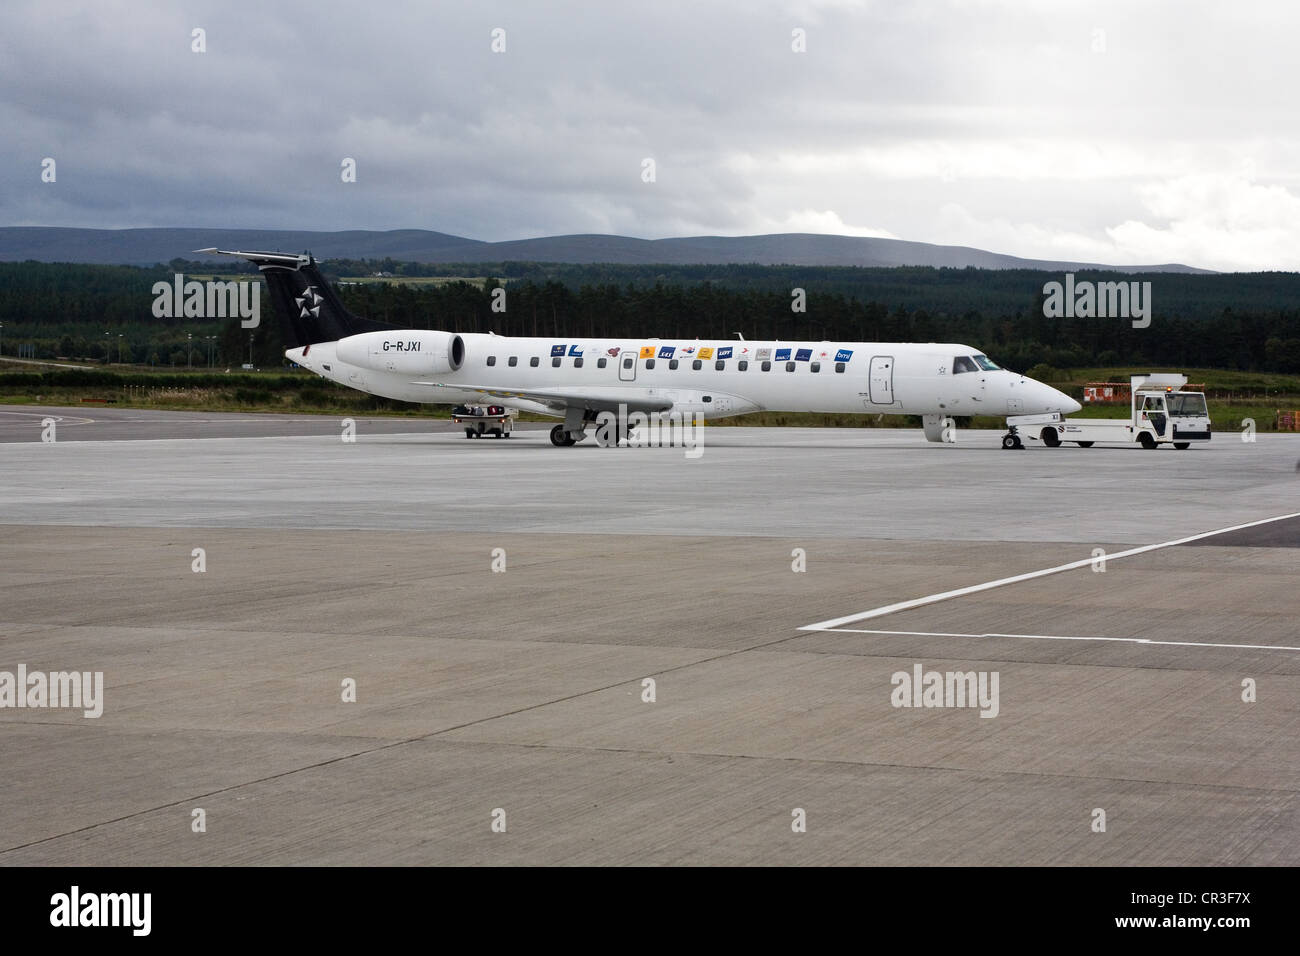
x=1249, y=322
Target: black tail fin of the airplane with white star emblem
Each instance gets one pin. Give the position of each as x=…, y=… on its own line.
x=309, y=309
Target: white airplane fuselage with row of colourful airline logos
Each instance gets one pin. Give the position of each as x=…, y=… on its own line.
x=714, y=378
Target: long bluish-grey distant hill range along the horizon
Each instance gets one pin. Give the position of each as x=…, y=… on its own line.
x=150, y=246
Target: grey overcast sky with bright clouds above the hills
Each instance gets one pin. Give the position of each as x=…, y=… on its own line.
x=1106, y=132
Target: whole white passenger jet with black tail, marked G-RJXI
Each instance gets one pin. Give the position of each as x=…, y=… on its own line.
x=580, y=379
